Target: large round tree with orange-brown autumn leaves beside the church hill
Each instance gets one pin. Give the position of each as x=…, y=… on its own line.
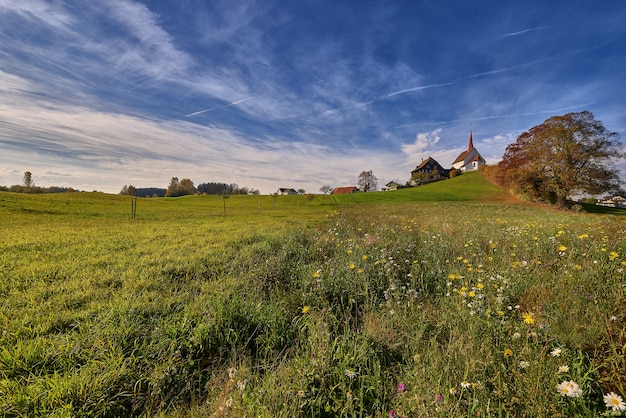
x=565, y=155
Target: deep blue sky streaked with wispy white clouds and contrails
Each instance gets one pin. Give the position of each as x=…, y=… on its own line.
x=269, y=94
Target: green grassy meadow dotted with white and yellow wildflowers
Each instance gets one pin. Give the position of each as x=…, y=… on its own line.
x=450, y=299
